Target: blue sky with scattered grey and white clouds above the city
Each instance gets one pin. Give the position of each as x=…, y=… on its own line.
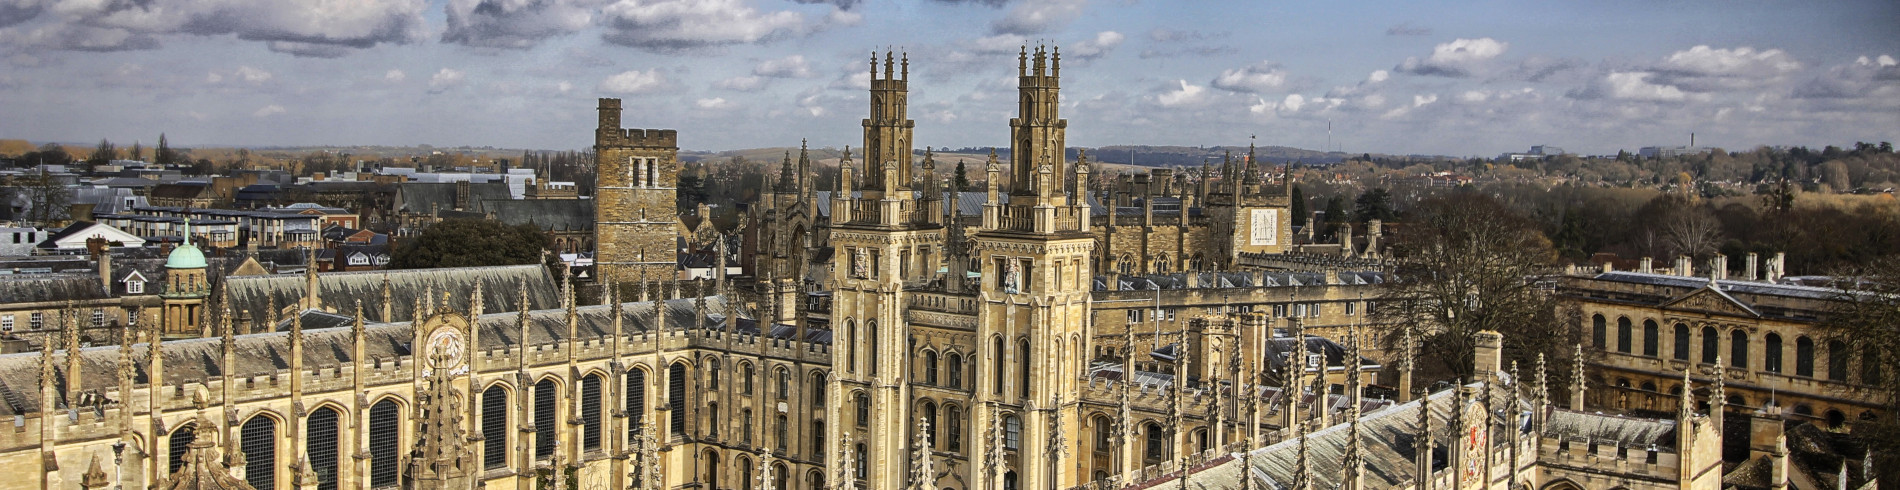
x=1392, y=77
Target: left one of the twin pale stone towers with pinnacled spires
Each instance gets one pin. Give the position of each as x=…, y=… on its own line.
x=883, y=242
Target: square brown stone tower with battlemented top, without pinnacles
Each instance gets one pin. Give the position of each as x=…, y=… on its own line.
x=636, y=217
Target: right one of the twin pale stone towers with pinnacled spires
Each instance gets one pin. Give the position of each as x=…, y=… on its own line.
x=1035, y=299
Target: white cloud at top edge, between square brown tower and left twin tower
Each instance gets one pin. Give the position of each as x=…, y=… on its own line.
x=677, y=26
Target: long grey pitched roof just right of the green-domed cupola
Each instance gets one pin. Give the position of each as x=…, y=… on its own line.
x=256, y=295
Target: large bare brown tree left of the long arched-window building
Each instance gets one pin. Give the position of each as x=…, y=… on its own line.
x=1472, y=265
